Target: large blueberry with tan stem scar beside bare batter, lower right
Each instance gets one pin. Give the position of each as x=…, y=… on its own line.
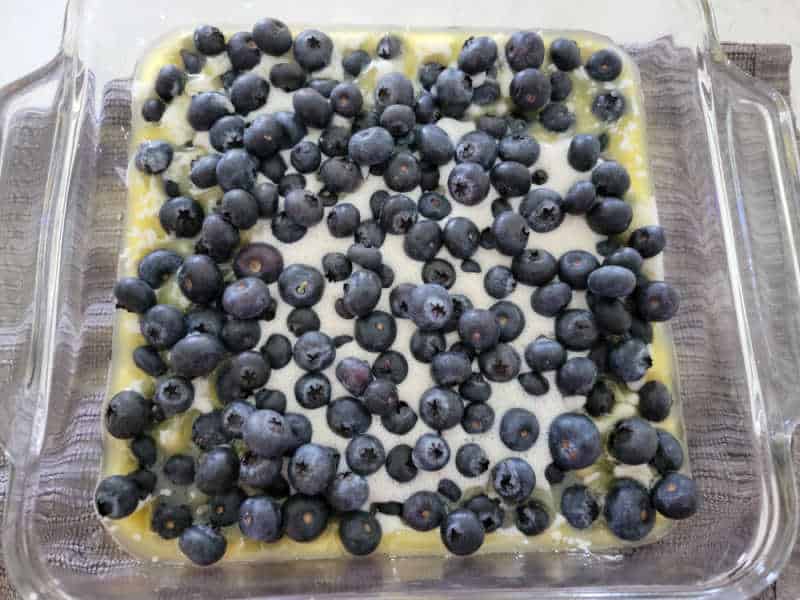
x=574, y=441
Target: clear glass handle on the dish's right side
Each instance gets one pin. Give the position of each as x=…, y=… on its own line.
x=760, y=169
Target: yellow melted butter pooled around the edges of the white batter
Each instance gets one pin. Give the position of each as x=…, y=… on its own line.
x=143, y=234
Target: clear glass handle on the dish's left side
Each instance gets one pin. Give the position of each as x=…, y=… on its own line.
x=28, y=121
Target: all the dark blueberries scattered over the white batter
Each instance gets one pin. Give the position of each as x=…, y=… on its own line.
x=256, y=462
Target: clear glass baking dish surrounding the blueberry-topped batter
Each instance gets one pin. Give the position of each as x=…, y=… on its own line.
x=725, y=168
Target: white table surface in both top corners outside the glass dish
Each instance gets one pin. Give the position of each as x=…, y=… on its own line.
x=32, y=31
